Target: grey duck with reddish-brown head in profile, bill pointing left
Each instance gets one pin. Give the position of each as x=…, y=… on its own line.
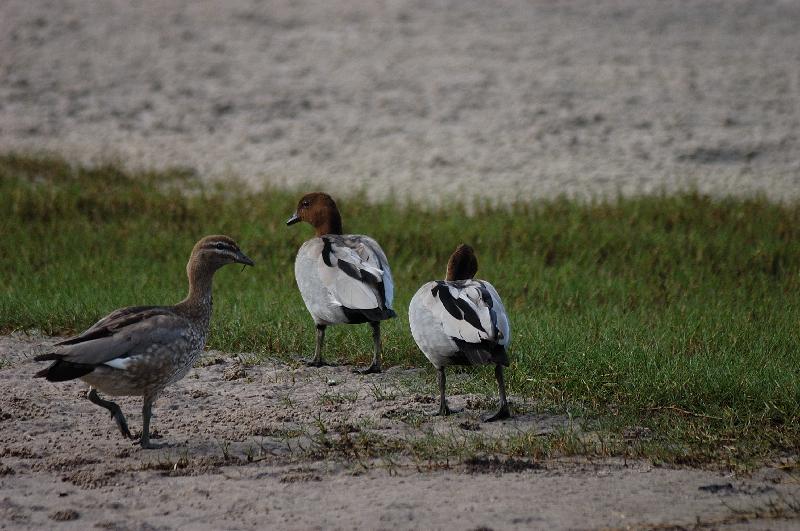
x=343, y=278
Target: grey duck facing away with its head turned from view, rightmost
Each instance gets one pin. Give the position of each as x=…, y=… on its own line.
x=462, y=321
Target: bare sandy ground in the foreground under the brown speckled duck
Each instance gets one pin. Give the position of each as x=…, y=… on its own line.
x=241, y=453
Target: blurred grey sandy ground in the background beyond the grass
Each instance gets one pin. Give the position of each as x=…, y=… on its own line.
x=433, y=99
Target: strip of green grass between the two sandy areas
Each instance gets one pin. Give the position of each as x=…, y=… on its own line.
x=677, y=313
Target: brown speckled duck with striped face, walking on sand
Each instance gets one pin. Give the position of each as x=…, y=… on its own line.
x=140, y=350
